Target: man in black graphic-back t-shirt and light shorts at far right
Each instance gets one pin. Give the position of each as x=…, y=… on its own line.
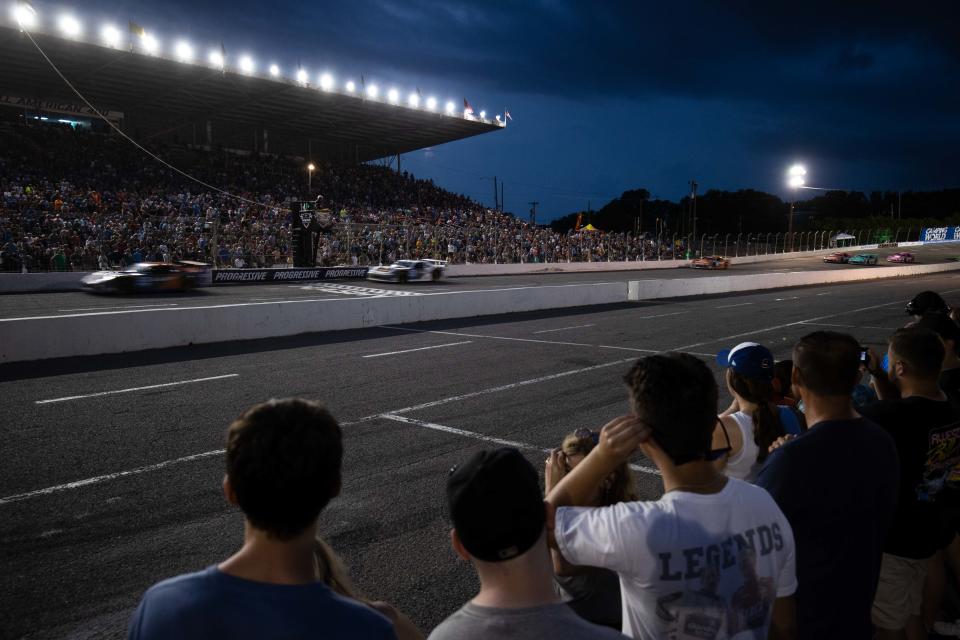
x=925, y=427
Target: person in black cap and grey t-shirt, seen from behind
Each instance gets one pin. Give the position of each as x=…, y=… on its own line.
x=499, y=519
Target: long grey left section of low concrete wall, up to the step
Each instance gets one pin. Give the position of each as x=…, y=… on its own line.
x=118, y=332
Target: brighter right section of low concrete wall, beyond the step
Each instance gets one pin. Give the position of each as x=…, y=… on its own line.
x=679, y=287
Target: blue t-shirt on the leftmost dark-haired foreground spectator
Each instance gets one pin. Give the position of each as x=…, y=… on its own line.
x=213, y=604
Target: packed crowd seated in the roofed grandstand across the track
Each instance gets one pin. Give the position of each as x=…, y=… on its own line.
x=79, y=200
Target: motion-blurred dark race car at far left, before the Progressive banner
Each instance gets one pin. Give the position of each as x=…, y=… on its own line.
x=147, y=277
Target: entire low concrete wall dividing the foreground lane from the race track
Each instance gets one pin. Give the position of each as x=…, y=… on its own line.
x=27, y=339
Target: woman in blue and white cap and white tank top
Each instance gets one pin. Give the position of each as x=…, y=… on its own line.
x=754, y=421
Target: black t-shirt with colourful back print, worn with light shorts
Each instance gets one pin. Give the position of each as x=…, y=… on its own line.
x=927, y=435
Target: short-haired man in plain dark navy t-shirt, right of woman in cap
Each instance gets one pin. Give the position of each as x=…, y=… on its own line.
x=837, y=485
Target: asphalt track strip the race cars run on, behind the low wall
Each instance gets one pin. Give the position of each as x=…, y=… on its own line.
x=46, y=304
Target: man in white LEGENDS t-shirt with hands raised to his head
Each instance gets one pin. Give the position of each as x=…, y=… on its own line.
x=714, y=557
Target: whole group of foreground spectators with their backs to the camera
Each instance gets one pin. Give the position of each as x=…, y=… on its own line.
x=821, y=503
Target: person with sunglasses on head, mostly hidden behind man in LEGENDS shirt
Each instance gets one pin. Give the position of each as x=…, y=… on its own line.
x=593, y=592
